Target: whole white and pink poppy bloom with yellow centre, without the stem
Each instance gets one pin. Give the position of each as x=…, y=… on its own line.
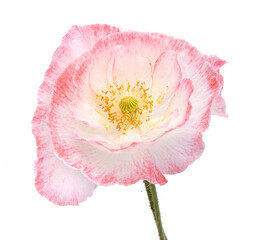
x=117, y=107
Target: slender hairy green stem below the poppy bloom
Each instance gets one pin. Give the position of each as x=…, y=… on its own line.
x=154, y=204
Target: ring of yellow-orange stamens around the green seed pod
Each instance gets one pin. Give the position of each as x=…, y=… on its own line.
x=126, y=106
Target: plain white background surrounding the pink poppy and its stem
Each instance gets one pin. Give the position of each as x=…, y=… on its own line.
x=215, y=198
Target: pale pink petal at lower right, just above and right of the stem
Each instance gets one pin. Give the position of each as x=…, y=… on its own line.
x=176, y=150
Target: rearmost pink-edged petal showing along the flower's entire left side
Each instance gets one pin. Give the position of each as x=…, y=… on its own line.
x=54, y=180
